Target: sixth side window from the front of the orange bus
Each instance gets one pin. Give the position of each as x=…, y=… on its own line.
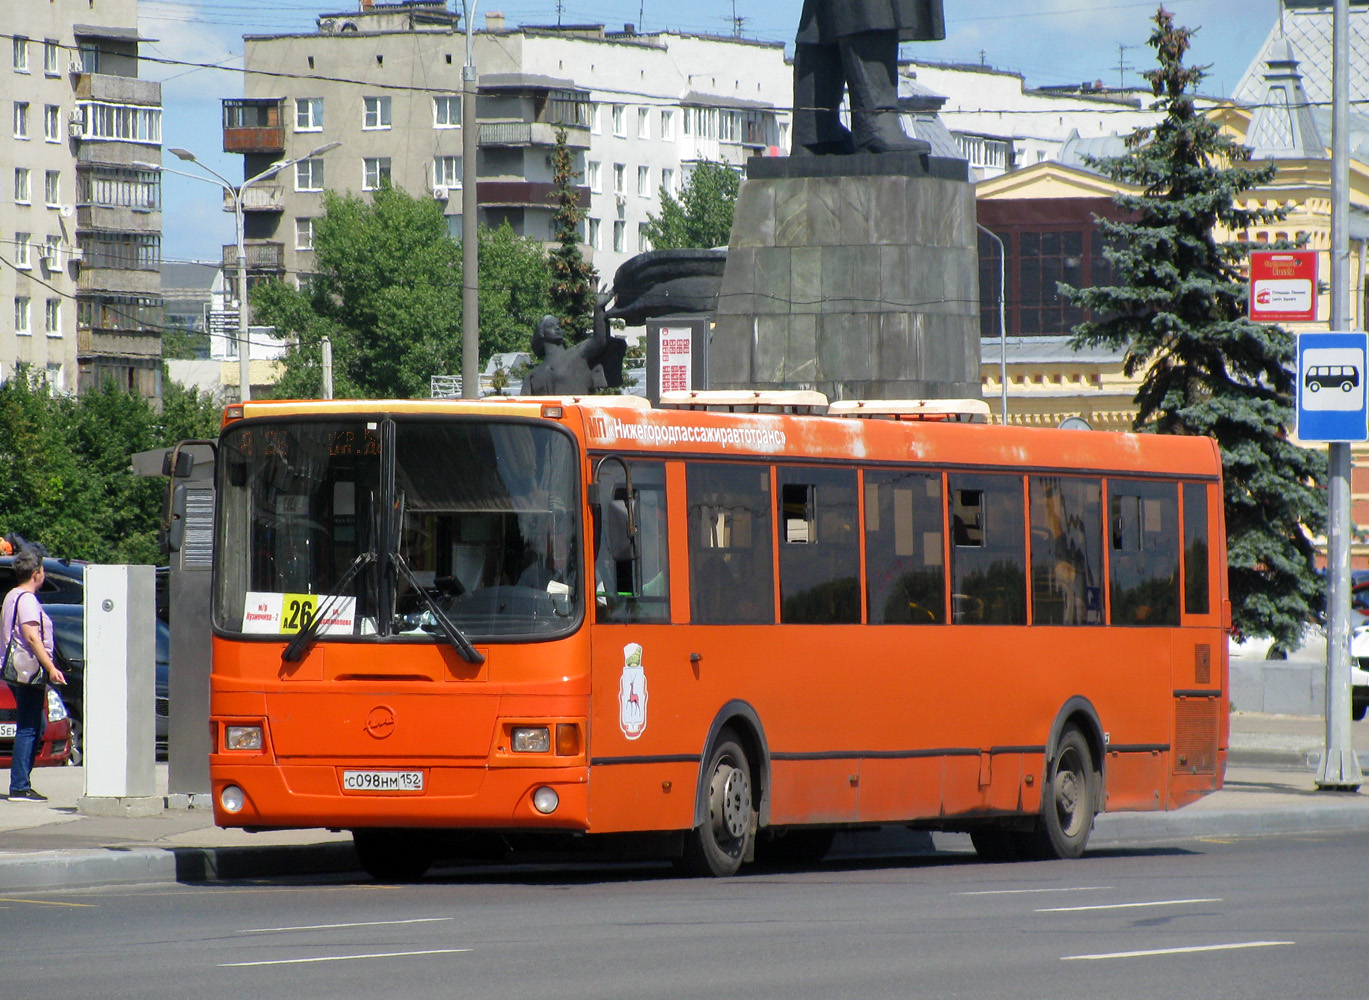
x=1067, y=551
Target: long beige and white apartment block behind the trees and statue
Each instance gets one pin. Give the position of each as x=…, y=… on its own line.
x=385, y=83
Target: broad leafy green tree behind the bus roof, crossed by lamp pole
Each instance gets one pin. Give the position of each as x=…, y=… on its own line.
x=388, y=294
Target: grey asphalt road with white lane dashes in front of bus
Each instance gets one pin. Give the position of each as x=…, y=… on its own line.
x=1260, y=918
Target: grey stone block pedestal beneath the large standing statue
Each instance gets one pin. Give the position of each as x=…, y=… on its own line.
x=855, y=276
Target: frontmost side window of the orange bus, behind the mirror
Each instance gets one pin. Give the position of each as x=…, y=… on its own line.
x=633, y=577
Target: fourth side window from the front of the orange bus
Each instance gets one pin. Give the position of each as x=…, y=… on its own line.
x=906, y=577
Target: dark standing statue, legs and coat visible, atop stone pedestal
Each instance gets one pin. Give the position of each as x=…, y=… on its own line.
x=854, y=46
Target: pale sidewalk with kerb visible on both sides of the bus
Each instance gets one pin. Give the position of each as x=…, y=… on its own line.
x=1270, y=790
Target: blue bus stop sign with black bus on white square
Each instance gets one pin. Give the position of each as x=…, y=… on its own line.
x=1331, y=387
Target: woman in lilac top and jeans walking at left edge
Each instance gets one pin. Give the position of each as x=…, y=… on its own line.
x=25, y=621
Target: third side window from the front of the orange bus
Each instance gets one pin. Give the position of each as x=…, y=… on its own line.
x=819, y=550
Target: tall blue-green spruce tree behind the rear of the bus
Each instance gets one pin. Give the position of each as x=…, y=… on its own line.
x=1179, y=310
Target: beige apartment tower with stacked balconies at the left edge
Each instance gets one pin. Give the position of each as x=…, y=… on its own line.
x=80, y=218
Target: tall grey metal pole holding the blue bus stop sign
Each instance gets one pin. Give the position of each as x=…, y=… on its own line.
x=1340, y=771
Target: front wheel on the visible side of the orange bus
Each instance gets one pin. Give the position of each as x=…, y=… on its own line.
x=725, y=840
